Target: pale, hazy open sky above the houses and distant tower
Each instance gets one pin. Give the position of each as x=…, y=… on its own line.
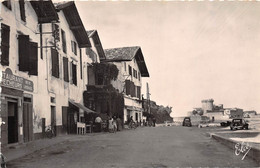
x=193, y=50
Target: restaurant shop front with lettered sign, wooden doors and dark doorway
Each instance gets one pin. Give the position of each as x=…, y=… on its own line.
x=16, y=109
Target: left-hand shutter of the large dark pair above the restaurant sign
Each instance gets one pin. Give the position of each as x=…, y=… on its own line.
x=24, y=53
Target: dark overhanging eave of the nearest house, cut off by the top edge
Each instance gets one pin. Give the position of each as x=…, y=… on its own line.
x=45, y=11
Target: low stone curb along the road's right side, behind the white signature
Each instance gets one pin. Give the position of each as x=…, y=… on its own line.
x=254, y=153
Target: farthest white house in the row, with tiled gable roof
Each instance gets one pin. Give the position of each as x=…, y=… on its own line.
x=131, y=65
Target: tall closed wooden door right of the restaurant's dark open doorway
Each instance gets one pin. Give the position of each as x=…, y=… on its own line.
x=27, y=122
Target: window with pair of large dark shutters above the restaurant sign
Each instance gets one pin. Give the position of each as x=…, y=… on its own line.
x=28, y=55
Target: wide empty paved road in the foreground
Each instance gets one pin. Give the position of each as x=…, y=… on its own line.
x=143, y=147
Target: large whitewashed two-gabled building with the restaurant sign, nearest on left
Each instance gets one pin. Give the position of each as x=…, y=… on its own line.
x=44, y=62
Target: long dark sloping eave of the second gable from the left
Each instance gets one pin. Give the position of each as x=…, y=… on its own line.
x=72, y=16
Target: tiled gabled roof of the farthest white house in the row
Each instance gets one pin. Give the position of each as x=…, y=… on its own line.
x=127, y=54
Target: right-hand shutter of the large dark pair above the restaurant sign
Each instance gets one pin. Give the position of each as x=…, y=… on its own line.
x=33, y=59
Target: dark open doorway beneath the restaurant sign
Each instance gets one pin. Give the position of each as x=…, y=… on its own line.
x=12, y=122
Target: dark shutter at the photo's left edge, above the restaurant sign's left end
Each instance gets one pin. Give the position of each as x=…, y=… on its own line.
x=5, y=44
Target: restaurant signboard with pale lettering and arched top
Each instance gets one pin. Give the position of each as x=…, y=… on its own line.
x=16, y=82
